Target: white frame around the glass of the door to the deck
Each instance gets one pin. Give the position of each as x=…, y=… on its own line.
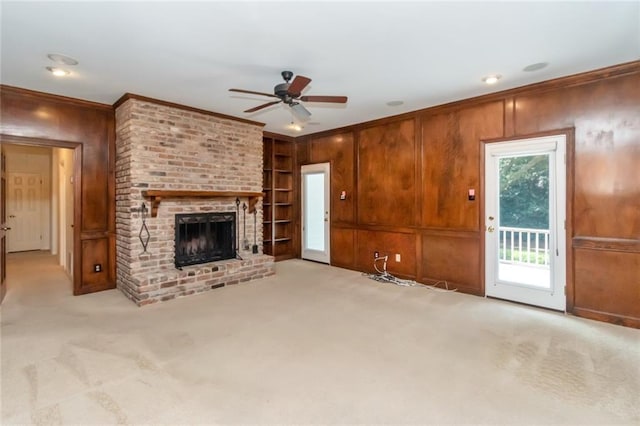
x=553, y=297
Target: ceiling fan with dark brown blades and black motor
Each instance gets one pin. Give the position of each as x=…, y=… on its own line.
x=289, y=93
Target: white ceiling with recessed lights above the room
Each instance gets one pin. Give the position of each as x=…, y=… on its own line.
x=423, y=53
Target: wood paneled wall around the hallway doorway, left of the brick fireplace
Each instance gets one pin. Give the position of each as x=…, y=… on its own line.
x=29, y=117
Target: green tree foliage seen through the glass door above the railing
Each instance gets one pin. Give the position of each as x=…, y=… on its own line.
x=524, y=192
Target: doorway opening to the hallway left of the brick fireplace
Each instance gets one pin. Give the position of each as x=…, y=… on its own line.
x=39, y=203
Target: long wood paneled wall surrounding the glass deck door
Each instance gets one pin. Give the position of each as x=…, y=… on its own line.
x=407, y=179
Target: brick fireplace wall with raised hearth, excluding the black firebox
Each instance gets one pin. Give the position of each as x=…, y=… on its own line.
x=165, y=147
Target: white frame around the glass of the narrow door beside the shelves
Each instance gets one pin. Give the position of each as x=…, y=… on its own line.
x=323, y=256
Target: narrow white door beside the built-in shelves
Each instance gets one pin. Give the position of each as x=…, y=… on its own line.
x=315, y=212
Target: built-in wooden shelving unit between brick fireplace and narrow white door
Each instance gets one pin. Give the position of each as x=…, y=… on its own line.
x=278, y=203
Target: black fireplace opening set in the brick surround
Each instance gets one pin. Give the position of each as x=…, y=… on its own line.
x=204, y=237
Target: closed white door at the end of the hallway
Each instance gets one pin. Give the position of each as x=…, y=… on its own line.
x=24, y=208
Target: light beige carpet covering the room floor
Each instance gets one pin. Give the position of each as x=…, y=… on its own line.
x=313, y=344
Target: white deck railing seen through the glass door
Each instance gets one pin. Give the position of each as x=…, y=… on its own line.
x=524, y=246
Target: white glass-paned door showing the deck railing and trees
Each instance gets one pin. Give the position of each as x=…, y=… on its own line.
x=525, y=205
